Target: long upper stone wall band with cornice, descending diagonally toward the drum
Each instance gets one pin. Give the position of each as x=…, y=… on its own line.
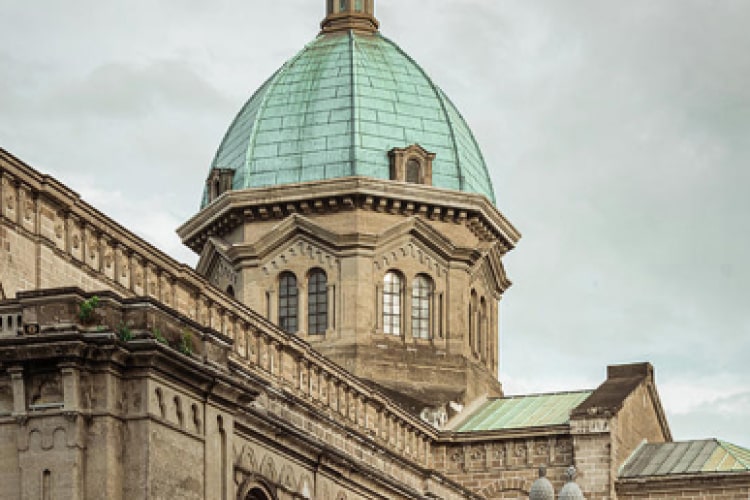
x=58, y=227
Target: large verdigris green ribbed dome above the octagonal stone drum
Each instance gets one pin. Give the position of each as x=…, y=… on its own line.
x=337, y=108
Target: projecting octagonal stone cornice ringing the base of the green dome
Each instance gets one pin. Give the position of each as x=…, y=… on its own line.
x=348, y=193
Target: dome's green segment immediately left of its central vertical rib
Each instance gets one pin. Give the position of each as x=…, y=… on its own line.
x=303, y=131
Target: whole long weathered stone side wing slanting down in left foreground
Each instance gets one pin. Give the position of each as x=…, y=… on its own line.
x=304, y=411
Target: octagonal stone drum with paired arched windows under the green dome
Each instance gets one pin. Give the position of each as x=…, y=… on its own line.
x=357, y=231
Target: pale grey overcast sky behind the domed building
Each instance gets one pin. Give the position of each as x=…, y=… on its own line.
x=617, y=135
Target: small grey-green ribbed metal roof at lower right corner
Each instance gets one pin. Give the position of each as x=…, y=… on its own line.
x=688, y=457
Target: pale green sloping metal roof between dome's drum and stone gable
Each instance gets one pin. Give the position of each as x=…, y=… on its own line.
x=520, y=412
